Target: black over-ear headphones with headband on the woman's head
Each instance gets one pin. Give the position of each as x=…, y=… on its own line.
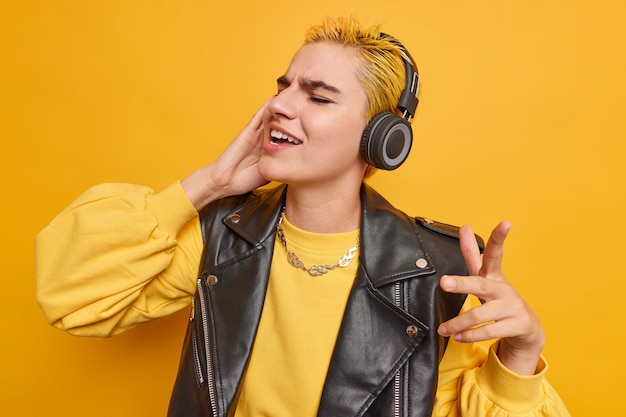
x=387, y=138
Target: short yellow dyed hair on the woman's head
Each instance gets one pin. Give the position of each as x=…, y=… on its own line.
x=381, y=72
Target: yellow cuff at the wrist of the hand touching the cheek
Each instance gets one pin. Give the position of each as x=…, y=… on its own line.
x=172, y=208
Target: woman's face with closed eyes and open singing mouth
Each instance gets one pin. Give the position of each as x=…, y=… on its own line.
x=313, y=126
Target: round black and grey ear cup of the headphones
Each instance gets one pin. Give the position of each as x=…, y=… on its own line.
x=386, y=141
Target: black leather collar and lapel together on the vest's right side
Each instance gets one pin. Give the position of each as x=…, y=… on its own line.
x=377, y=335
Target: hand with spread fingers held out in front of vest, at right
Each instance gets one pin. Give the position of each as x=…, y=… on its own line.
x=503, y=314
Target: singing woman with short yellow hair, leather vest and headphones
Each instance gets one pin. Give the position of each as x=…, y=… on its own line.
x=314, y=297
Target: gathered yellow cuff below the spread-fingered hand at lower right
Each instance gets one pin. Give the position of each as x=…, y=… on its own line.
x=507, y=389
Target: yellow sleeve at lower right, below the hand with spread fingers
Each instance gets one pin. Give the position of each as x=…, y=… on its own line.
x=473, y=382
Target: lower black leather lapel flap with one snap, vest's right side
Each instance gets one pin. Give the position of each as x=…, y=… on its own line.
x=373, y=344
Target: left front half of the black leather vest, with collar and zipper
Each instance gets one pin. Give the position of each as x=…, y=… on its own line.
x=233, y=278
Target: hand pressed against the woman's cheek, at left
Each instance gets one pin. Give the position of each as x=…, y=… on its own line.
x=234, y=172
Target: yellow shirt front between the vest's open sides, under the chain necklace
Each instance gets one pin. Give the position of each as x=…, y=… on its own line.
x=298, y=328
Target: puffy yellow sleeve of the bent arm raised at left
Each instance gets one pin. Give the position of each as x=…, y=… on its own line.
x=118, y=256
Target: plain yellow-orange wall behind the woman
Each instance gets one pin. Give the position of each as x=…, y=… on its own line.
x=521, y=117
